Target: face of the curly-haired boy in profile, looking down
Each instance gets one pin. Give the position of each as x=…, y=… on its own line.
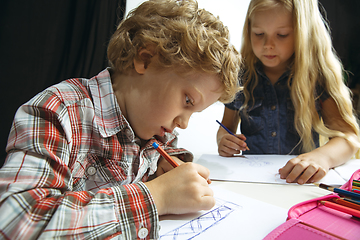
x=162, y=100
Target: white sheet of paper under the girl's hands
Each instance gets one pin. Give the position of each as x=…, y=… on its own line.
x=254, y=168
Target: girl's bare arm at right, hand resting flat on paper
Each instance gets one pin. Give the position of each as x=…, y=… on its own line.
x=312, y=166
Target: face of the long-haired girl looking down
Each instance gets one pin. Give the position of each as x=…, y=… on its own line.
x=272, y=38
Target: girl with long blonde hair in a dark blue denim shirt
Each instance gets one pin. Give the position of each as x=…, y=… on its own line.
x=293, y=91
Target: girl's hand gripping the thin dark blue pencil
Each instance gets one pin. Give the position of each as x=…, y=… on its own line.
x=230, y=145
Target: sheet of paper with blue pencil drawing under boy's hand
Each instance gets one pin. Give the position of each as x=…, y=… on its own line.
x=234, y=217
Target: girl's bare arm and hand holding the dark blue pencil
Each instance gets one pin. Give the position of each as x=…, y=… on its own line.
x=228, y=145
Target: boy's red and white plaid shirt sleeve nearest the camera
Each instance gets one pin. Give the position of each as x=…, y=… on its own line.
x=36, y=186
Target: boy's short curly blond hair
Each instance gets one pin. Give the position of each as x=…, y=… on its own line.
x=183, y=36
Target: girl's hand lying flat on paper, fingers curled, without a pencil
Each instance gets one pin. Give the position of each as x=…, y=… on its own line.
x=305, y=168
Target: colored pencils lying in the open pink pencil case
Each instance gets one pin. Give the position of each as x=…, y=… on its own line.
x=349, y=201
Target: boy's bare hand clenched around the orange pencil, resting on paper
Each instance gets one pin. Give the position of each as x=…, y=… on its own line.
x=182, y=190
